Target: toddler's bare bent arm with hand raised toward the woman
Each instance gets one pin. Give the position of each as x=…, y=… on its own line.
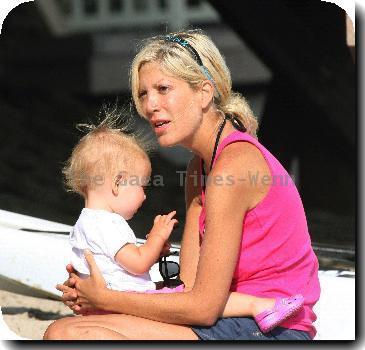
x=139, y=259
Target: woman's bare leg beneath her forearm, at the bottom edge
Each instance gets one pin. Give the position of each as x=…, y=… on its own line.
x=128, y=327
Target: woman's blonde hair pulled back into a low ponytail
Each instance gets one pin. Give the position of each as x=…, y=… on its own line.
x=175, y=59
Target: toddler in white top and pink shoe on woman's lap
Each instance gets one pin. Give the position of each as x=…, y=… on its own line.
x=109, y=169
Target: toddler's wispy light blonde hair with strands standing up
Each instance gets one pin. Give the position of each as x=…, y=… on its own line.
x=108, y=148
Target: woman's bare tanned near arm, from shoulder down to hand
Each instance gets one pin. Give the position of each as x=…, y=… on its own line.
x=226, y=206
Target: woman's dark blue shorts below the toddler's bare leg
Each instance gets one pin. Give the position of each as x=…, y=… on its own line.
x=243, y=328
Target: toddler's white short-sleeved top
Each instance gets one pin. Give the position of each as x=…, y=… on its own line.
x=104, y=233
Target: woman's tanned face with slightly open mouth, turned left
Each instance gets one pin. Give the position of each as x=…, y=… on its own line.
x=172, y=107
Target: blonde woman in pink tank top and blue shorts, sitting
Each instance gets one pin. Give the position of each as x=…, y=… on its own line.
x=241, y=234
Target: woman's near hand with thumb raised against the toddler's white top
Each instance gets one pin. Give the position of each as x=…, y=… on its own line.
x=90, y=291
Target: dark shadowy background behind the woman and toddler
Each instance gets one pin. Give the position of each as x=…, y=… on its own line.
x=60, y=60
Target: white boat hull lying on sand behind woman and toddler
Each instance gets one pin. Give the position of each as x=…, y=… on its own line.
x=32, y=263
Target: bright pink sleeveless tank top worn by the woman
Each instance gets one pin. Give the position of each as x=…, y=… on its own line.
x=276, y=257
